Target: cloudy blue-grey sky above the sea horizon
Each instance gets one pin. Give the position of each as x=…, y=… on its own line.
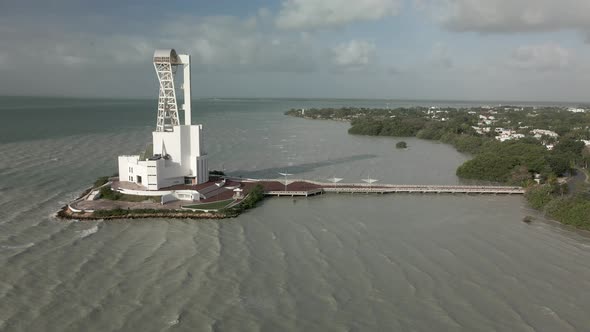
x=521, y=50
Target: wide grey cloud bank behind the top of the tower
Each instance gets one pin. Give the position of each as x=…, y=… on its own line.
x=227, y=44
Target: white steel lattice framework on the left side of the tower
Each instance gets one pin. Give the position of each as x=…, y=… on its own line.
x=167, y=105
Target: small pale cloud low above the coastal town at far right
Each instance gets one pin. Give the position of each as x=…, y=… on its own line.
x=545, y=57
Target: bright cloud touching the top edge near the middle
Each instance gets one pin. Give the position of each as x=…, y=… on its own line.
x=312, y=14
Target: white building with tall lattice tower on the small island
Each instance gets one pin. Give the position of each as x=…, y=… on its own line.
x=178, y=153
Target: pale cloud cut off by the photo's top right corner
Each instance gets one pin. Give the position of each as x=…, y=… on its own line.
x=510, y=16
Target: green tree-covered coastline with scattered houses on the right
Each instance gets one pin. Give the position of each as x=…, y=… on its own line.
x=514, y=162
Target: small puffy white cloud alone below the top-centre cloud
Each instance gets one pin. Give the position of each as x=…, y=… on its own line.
x=354, y=54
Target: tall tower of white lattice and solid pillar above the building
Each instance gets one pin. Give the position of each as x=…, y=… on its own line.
x=166, y=63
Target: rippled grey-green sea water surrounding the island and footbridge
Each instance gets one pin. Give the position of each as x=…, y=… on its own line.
x=330, y=263
